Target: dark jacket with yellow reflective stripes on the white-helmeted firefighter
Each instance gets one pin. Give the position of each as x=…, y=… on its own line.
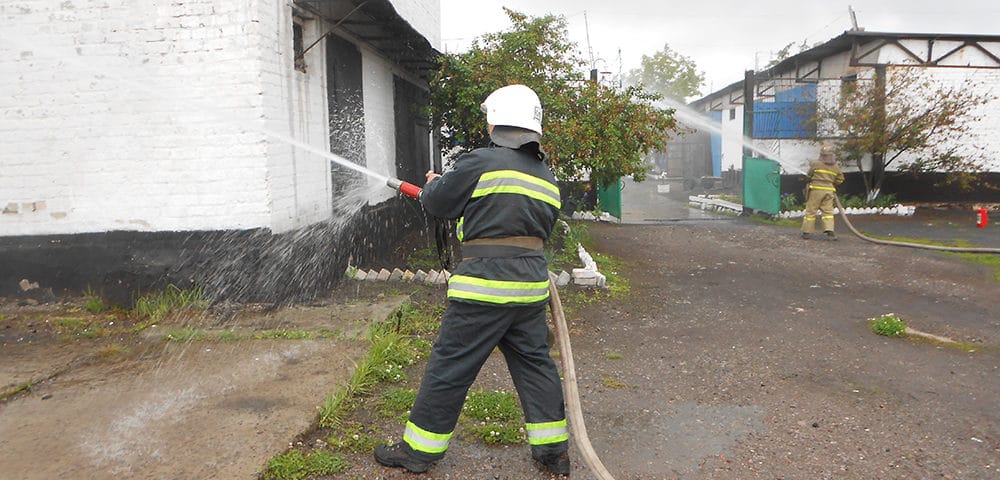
x=496, y=193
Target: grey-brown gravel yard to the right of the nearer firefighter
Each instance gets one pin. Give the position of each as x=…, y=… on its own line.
x=743, y=352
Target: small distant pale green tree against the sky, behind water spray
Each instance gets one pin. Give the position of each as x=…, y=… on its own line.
x=669, y=74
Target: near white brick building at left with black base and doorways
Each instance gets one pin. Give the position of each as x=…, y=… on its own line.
x=134, y=134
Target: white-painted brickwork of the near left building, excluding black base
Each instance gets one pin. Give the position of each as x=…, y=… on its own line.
x=159, y=115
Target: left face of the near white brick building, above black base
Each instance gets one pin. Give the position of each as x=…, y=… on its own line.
x=128, y=115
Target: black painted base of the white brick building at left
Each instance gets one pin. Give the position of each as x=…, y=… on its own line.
x=243, y=266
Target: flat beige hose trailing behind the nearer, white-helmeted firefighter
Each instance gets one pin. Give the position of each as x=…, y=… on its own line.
x=578, y=429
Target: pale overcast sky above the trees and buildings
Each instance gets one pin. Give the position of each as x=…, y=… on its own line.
x=723, y=37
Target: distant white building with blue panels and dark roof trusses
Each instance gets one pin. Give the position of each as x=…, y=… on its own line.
x=786, y=95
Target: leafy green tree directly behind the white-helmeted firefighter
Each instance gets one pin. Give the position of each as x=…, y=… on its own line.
x=589, y=128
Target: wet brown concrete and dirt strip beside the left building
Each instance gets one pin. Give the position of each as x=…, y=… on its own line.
x=161, y=410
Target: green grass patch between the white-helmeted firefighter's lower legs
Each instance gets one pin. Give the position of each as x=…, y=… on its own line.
x=494, y=417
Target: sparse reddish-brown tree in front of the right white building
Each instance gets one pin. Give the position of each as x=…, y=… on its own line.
x=906, y=112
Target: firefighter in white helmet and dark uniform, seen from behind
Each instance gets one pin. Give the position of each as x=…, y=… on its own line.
x=506, y=202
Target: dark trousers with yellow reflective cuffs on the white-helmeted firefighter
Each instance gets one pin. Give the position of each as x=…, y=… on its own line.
x=469, y=333
